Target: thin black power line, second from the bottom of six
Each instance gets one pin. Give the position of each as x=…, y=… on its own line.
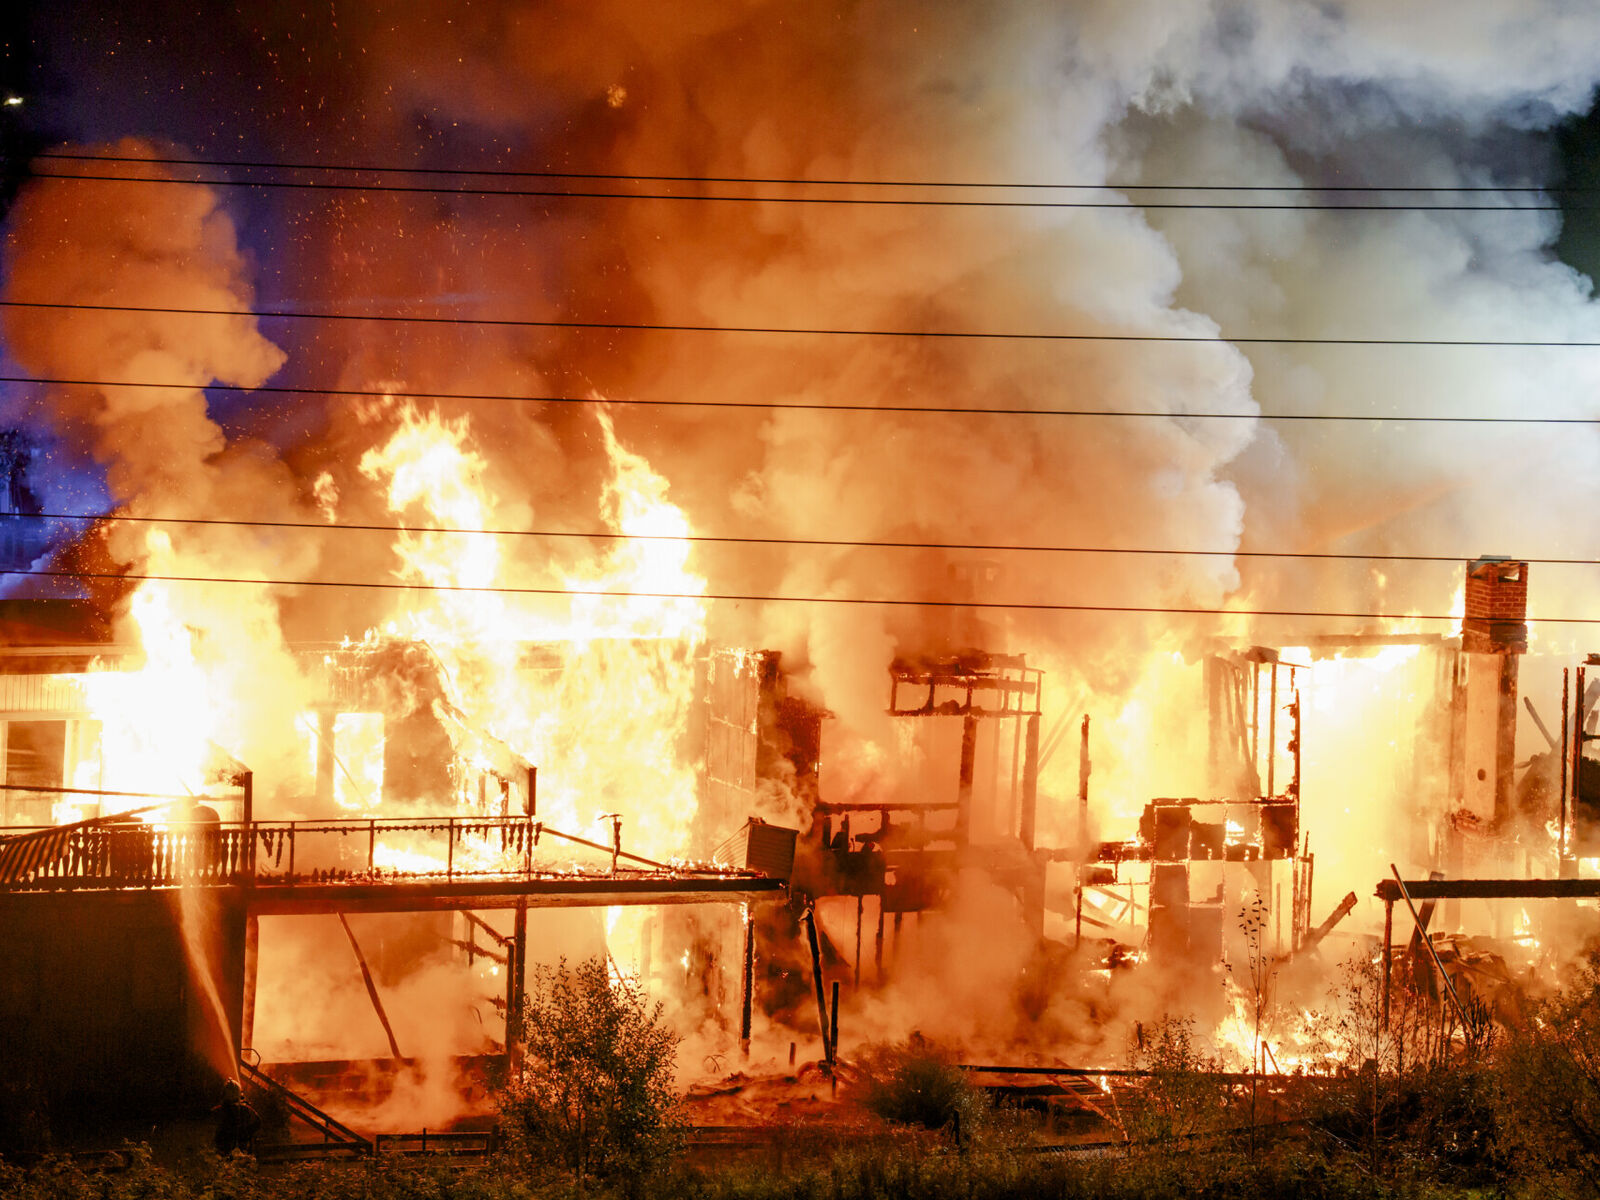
x=612, y=535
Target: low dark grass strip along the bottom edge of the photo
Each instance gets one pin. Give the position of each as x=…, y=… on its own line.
x=884, y=1167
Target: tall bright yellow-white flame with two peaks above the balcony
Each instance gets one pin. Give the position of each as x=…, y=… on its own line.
x=604, y=713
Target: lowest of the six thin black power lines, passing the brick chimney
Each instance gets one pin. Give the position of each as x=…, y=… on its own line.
x=870, y=602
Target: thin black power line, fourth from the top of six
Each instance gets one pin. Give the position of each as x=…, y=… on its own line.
x=785, y=406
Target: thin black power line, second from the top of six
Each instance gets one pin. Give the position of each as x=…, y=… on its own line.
x=841, y=201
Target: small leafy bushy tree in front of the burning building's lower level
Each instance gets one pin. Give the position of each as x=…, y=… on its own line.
x=596, y=1084
